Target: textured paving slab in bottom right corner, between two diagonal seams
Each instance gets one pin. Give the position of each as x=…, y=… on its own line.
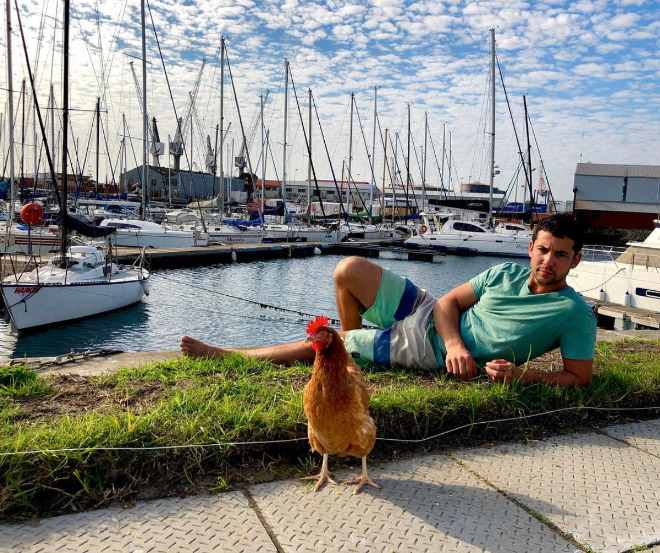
x=597, y=489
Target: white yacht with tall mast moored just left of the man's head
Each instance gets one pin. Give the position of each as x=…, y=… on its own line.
x=474, y=236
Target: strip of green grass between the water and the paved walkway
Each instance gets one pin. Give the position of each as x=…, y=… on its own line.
x=193, y=402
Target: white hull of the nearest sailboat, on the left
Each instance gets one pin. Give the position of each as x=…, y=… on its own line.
x=32, y=305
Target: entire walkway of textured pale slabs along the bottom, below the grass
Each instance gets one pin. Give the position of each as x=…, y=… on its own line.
x=586, y=492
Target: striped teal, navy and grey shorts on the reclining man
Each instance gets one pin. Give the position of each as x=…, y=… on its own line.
x=403, y=314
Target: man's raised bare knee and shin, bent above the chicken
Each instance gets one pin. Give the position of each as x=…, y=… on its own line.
x=356, y=286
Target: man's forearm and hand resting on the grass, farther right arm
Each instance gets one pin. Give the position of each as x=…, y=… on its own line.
x=576, y=372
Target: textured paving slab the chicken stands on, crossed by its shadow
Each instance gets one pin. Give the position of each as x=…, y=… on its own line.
x=429, y=504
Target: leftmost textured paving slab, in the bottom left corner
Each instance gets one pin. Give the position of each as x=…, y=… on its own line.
x=194, y=524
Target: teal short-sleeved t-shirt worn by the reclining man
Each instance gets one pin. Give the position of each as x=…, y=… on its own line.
x=509, y=322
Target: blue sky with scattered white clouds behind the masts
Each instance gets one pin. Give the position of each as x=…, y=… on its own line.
x=589, y=70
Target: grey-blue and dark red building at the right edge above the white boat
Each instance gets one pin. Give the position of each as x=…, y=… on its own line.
x=616, y=196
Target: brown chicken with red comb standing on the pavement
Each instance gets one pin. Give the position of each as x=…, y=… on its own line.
x=336, y=403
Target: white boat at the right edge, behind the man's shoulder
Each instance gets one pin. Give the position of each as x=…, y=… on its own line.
x=626, y=276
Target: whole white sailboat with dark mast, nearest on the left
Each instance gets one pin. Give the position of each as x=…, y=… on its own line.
x=80, y=282
